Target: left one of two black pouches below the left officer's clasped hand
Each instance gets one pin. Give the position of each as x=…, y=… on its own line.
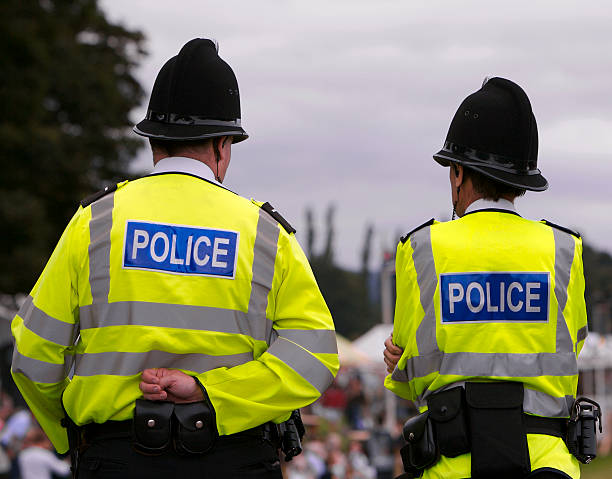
x=152, y=433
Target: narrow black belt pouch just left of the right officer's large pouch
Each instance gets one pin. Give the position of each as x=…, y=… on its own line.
x=447, y=410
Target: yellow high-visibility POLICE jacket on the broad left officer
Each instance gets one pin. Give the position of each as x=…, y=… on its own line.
x=173, y=271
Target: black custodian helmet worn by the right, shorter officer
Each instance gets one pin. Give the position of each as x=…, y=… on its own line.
x=495, y=133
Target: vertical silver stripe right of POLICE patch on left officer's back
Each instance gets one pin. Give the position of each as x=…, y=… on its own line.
x=264, y=256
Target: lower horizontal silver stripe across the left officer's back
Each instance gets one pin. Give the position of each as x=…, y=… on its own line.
x=127, y=364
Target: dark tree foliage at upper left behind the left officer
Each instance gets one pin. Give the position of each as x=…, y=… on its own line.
x=66, y=90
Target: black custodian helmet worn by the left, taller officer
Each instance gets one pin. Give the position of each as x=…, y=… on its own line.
x=195, y=96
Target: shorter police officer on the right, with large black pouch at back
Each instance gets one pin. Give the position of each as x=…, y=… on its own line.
x=490, y=312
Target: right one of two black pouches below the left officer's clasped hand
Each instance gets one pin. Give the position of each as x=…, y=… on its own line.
x=195, y=431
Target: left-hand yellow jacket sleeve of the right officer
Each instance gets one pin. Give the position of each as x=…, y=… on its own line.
x=408, y=315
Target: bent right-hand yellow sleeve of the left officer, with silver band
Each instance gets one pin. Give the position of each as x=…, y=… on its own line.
x=300, y=362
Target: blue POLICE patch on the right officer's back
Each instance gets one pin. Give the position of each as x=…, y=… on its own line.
x=494, y=297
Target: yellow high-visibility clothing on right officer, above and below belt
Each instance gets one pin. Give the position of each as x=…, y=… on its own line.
x=492, y=296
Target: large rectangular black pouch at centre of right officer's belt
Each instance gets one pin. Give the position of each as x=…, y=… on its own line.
x=499, y=441
